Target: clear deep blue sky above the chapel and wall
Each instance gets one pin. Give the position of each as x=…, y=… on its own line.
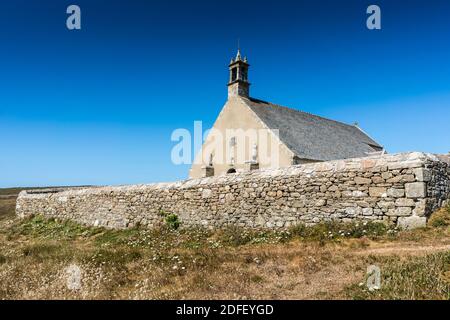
x=98, y=106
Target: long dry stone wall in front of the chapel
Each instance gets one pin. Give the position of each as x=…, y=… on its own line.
x=400, y=188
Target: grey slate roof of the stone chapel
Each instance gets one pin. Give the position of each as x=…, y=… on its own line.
x=313, y=137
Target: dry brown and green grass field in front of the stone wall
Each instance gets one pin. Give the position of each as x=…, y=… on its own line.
x=324, y=262
